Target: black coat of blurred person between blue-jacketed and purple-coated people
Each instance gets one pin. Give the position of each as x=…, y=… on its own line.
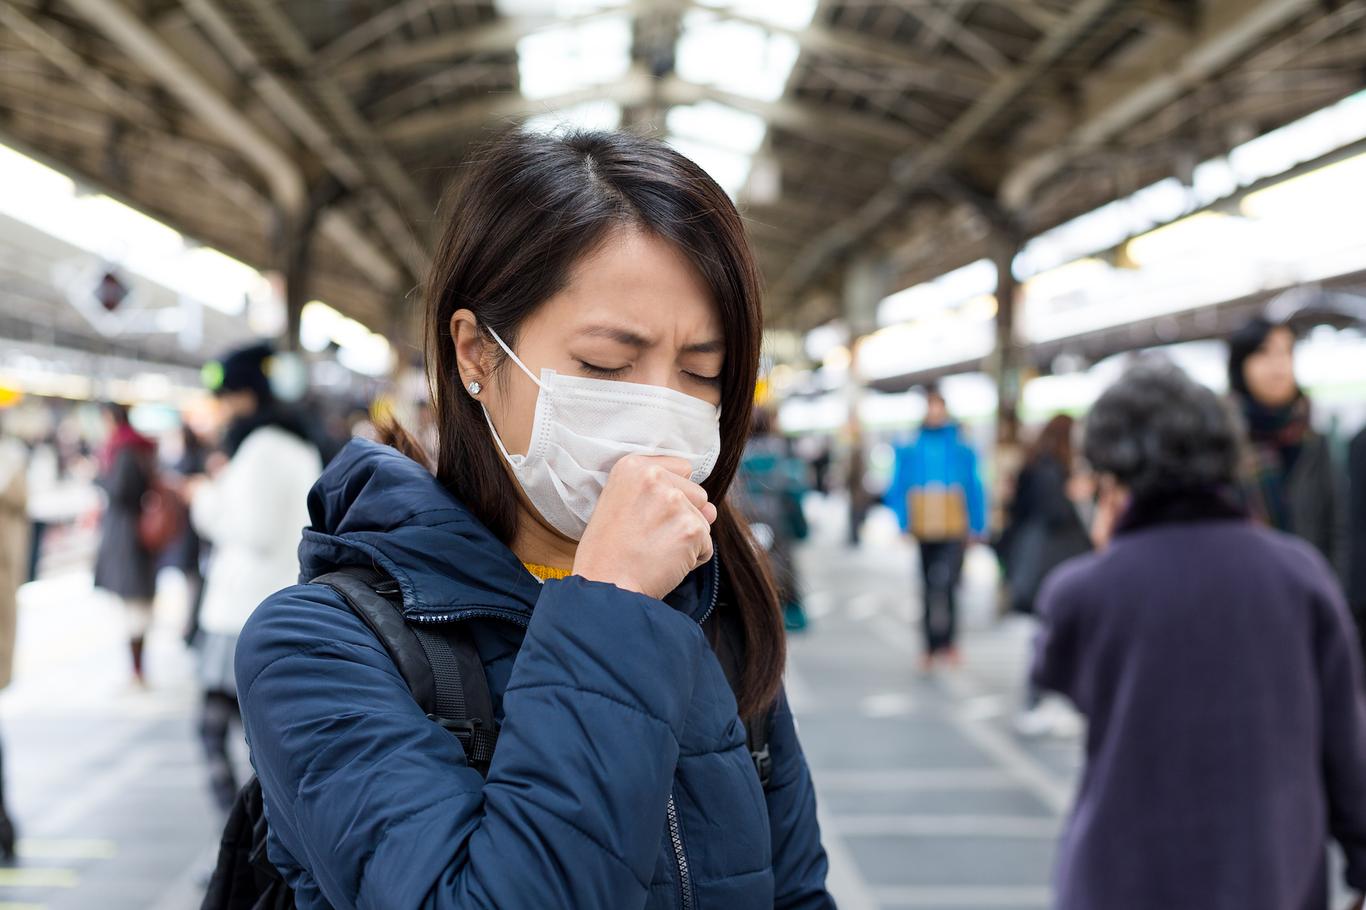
x=1044, y=532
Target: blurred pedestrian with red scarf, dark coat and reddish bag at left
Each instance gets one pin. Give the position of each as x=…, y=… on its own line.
x=125, y=566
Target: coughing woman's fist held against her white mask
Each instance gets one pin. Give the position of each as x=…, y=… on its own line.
x=651, y=528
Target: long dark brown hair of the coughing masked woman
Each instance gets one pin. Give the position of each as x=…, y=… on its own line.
x=525, y=212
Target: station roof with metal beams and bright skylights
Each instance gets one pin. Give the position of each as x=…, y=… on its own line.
x=909, y=130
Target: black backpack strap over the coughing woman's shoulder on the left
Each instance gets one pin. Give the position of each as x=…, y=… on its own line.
x=443, y=672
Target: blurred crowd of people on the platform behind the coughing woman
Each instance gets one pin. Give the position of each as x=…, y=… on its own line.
x=1196, y=566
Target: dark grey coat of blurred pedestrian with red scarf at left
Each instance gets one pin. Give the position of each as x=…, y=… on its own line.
x=124, y=566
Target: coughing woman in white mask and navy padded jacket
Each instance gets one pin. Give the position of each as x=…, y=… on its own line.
x=594, y=340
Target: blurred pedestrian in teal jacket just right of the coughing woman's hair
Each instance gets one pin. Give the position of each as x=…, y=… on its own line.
x=774, y=484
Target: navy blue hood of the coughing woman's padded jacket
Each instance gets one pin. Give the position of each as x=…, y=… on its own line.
x=374, y=506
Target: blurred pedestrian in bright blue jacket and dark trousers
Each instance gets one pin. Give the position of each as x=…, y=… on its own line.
x=938, y=497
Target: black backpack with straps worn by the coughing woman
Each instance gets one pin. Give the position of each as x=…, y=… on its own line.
x=446, y=676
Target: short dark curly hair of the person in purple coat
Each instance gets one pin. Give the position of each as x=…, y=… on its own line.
x=1159, y=434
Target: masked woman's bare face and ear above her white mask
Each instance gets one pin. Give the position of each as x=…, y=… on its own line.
x=636, y=311
